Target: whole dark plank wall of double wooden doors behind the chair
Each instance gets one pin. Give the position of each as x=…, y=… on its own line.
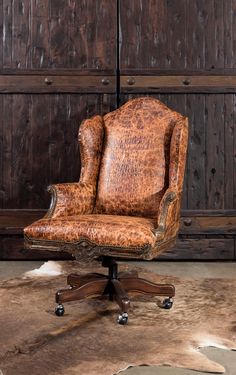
x=59, y=64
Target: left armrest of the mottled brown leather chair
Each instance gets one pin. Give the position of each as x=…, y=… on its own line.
x=70, y=199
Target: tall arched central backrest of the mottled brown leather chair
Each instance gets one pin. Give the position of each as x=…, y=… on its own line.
x=134, y=169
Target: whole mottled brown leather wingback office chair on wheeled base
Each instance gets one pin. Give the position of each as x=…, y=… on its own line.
x=126, y=204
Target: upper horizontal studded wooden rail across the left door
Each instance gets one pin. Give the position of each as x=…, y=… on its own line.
x=52, y=84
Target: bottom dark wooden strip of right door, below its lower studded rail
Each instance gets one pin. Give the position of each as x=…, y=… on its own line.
x=201, y=249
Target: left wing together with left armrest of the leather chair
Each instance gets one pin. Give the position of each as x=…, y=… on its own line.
x=79, y=198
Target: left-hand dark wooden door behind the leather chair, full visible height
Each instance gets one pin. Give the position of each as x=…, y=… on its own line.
x=57, y=67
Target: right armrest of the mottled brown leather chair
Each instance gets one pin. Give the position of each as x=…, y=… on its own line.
x=168, y=215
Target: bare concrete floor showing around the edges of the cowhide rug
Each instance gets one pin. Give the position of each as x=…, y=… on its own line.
x=9, y=269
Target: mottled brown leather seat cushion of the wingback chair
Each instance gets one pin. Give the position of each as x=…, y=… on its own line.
x=103, y=230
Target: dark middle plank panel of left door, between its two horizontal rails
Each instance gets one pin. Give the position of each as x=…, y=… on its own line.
x=40, y=143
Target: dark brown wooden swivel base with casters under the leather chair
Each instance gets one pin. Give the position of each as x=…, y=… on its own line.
x=115, y=286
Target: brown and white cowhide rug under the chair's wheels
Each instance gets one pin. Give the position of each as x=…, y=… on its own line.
x=87, y=340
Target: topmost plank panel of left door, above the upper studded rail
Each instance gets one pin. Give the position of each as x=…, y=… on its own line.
x=59, y=34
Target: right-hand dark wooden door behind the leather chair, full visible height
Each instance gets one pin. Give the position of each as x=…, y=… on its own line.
x=183, y=52
